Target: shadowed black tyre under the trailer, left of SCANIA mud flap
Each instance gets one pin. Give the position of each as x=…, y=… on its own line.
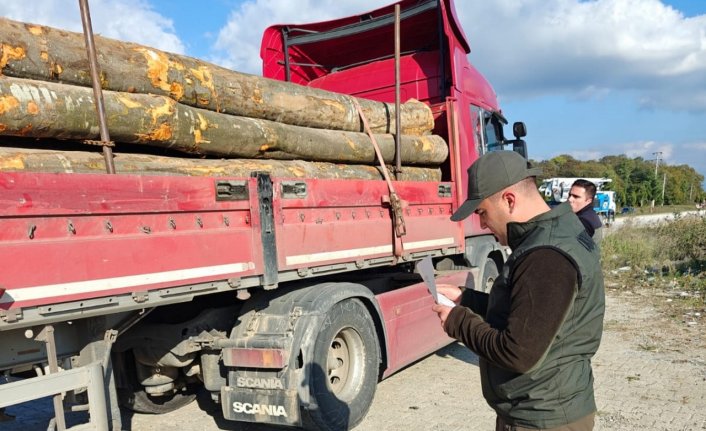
x=133, y=396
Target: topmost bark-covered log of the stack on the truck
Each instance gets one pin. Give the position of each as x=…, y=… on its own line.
x=43, y=53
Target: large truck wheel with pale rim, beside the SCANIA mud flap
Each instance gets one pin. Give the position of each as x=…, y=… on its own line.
x=344, y=370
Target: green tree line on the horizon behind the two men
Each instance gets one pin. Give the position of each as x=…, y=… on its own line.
x=637, y=182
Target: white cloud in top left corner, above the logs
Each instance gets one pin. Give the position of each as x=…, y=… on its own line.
x=130, y=20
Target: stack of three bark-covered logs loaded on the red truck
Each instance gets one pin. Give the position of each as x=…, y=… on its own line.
x=223, y=122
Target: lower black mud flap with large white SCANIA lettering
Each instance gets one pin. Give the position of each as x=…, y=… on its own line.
x=261, y=405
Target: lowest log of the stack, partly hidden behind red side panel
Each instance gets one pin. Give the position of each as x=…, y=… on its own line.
x=14, y=159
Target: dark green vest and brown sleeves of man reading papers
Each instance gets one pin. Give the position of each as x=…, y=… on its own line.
x=543, y=324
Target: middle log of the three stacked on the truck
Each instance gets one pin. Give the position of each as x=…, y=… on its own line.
x=42, y=109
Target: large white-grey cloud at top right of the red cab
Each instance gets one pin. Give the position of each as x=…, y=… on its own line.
x=590, y=48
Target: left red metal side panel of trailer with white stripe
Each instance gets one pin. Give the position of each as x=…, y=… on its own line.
x=81, y=237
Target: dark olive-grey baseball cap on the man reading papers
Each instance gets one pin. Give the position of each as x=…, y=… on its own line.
x=491, y=173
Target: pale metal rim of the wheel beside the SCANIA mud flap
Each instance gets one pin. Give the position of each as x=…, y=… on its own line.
x=345, y=363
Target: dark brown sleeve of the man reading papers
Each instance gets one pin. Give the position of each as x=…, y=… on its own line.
x=544, y=287
